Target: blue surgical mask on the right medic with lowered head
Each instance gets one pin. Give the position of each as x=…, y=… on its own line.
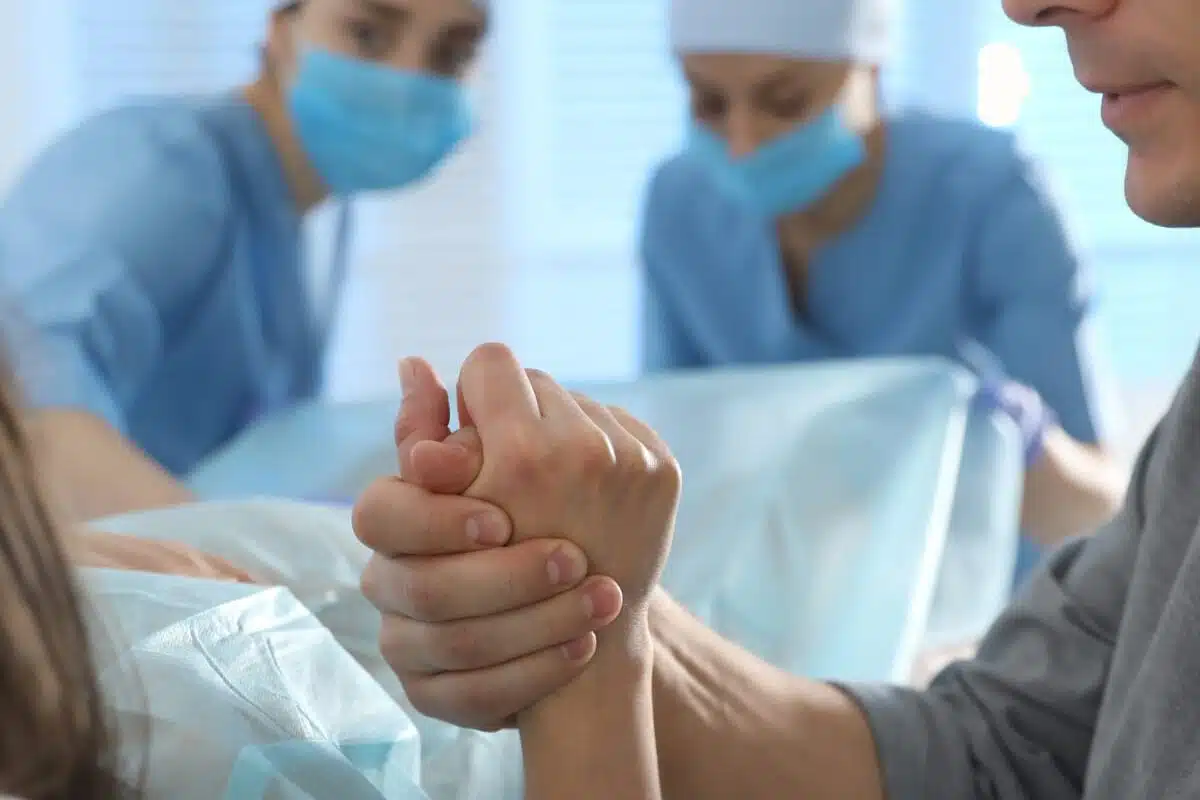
x=787, y=175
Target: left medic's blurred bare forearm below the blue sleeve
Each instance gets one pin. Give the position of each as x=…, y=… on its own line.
x=95, y=472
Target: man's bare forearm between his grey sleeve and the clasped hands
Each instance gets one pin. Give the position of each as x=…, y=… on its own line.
x=731, y=726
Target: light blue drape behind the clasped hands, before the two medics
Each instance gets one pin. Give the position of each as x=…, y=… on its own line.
x=826, y=502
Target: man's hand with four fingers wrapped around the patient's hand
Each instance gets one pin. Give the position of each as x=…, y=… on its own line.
x=477, y=631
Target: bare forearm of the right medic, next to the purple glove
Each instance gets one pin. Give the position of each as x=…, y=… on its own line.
x=1073, y=490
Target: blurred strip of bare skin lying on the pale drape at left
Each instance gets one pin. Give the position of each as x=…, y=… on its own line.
x=117, y=552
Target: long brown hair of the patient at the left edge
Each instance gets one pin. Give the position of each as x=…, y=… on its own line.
x=55, y=738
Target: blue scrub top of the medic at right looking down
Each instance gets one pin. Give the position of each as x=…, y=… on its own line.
x=962, y=242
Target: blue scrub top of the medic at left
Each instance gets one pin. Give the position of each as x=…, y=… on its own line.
x=157, y=254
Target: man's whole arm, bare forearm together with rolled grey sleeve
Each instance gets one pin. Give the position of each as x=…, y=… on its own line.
x=1016, y=721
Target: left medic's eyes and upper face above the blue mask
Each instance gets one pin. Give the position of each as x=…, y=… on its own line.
x=435, y=37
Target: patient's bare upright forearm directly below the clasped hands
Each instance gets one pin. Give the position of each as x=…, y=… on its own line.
x=595, y=739
